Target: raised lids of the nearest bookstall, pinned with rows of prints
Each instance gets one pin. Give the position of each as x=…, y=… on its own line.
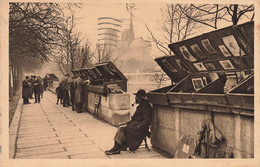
x=228, y=51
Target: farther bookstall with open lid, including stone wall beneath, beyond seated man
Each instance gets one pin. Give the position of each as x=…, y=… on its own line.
x=105, y=95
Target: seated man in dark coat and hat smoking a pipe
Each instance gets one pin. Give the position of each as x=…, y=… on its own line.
x=132, y=133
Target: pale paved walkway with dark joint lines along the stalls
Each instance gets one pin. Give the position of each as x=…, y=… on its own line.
x=49, y=131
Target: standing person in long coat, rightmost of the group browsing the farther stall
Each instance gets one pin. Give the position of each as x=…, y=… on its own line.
x=79, y=94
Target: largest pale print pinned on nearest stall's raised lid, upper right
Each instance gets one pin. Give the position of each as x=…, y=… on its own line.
x=232, y=45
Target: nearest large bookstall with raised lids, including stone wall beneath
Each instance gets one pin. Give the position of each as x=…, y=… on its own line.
x=213, y=76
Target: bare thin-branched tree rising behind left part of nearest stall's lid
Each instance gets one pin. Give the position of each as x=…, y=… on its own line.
x=176, y=26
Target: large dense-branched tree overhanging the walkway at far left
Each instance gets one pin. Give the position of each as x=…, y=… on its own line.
x=35, y=29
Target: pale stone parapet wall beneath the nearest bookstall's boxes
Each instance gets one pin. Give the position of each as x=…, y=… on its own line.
x=170, y=123
